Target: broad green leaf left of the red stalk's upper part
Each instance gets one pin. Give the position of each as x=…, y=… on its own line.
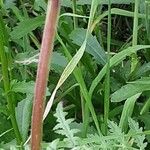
x=26, y=26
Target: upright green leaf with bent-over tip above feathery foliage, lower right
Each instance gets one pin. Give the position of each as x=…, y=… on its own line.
x=127, y=111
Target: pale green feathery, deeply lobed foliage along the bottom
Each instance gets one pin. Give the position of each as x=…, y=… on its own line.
x=115, y=139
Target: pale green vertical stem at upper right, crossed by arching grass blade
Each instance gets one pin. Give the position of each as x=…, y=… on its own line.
x=134, y=59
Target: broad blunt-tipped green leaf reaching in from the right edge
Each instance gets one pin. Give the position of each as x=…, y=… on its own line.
x=131, y=89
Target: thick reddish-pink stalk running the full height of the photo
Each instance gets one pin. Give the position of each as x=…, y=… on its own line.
x=42, y=72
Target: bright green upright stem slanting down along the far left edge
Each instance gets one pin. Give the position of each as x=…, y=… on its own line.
x=6, y=80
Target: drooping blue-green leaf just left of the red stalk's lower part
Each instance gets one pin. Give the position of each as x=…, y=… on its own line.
x=23, y=115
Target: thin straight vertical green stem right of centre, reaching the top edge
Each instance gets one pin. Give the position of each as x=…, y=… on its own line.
x=107, y=79
